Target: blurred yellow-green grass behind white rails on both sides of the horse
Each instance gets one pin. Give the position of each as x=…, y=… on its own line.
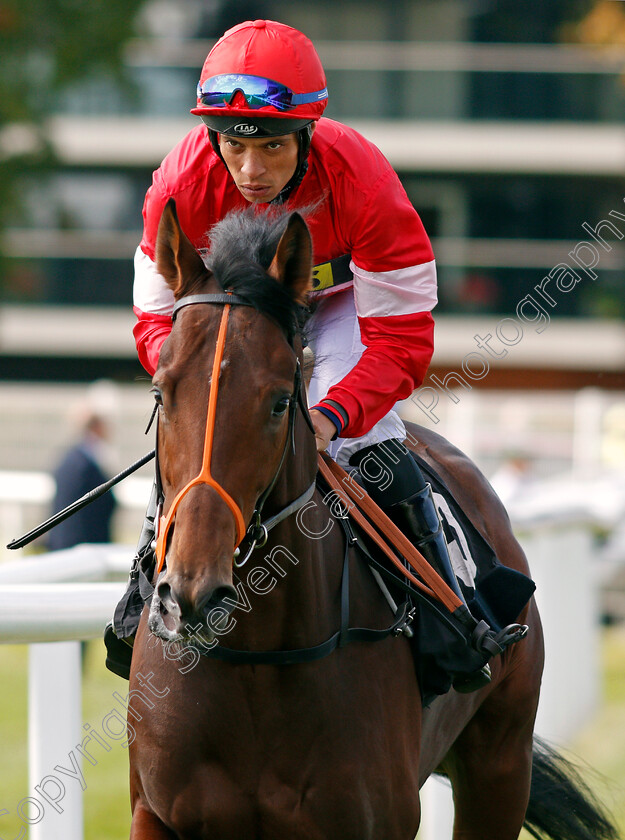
x=107, y=813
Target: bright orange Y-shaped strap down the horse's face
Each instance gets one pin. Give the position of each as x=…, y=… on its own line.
x=204, y=476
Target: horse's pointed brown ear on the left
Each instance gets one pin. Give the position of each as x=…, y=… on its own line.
x=176, y=258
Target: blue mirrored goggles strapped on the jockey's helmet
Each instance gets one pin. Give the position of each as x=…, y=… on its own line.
x=218, y=92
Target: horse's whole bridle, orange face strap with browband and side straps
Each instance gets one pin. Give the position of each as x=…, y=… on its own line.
x=256, y=533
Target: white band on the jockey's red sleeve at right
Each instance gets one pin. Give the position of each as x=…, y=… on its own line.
x=403, y=291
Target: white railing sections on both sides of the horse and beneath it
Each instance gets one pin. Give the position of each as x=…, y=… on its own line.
x=40, y=606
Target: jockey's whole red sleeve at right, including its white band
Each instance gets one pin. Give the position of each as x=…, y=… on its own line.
x=396, y=326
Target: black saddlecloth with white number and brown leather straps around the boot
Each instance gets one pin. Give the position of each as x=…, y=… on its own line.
x=450, y=640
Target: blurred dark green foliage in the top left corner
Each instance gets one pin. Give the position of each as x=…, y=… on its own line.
x=46, y=47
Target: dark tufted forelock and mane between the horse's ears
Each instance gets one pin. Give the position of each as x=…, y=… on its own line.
x=242, y=246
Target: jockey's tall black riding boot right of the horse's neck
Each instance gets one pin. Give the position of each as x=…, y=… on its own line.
x=394, y=481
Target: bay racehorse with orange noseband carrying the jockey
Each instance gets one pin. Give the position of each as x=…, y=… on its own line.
x=268, y=744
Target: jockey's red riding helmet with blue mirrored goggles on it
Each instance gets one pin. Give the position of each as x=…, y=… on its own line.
x=264, y=71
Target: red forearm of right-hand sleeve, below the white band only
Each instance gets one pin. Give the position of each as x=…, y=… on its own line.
x=394, y=363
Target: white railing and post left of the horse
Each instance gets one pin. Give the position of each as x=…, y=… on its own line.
x=38, y=606
